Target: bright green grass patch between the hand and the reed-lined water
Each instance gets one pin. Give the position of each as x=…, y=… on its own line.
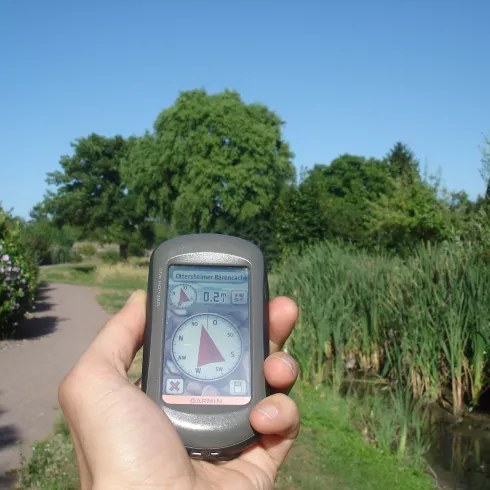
x=332, y=453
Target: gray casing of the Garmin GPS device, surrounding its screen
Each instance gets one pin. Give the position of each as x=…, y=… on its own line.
x=211, y=432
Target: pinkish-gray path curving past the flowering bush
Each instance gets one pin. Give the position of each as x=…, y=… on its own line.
x=32, y=366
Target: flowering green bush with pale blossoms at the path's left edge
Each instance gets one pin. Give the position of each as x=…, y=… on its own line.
x=18, y=274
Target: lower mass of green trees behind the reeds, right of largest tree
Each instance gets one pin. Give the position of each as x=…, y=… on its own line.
x=374, y=204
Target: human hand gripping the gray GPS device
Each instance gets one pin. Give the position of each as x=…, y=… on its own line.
x=123, y=440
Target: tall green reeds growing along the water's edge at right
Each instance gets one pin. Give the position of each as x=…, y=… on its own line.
x=422, y=323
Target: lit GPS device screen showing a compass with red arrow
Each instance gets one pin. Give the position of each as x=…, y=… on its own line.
x=207, y=336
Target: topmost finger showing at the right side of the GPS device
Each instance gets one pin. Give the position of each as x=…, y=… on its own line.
x=283, y=314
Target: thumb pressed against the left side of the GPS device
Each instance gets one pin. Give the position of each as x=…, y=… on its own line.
x=121, y=337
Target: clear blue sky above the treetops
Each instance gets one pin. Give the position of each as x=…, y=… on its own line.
x=346, y=75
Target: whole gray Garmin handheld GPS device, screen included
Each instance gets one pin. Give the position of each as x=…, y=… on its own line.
x=206, y=340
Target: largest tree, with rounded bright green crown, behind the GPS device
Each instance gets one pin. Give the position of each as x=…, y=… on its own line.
x=212, y=163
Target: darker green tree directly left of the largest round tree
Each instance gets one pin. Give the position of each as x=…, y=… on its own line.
x=91, y=195
